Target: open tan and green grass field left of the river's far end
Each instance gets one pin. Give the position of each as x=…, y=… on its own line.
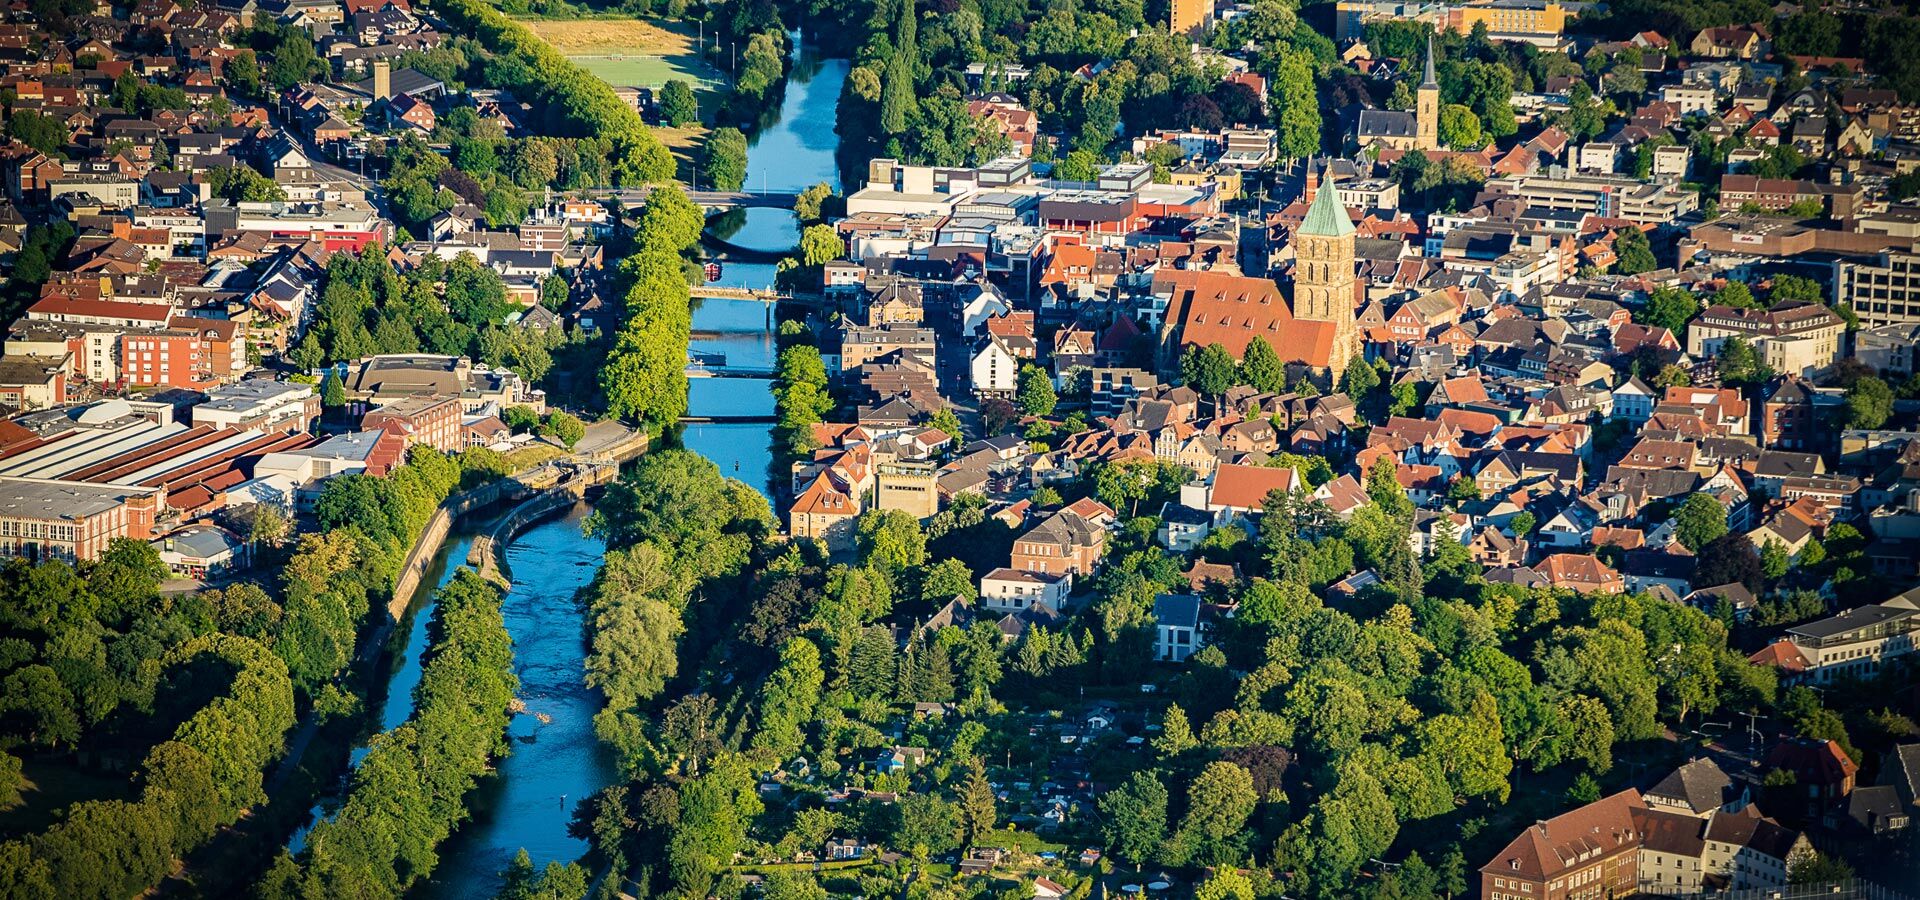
x=642, y=55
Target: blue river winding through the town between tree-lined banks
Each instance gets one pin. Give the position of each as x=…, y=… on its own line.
x=558, y=763
